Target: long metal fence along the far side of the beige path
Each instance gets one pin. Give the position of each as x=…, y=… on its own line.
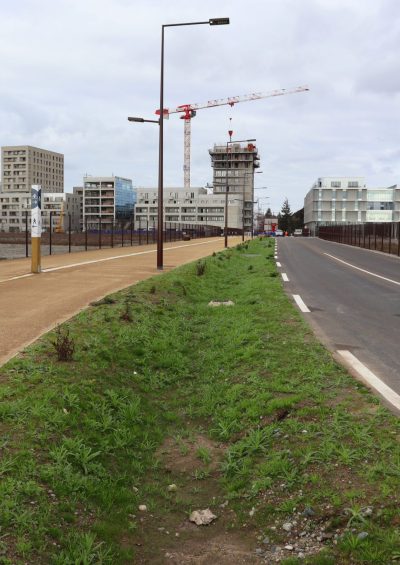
x=117, y=233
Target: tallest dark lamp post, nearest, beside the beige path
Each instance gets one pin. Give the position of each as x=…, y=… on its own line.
x=160, y=239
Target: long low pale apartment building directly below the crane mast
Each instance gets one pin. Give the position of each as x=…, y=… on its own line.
x=191, y=206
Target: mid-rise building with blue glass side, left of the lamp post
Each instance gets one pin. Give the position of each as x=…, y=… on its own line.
x=106, y=199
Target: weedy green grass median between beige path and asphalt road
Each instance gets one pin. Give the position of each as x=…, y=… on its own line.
x=167, y=404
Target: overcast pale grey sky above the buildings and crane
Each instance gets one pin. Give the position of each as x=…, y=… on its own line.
x=73, y=70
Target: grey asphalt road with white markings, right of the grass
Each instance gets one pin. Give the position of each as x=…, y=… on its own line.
x=354, y=299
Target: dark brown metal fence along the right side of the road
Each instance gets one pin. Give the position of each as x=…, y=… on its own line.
x=383, y=237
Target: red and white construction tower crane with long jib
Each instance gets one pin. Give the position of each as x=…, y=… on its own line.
x=189, y=112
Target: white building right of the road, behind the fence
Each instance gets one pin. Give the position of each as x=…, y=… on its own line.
x=349, y=200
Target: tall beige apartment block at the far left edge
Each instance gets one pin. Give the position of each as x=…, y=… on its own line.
x=24, y=165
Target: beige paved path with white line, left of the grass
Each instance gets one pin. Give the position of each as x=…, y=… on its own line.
x=31, y=305
